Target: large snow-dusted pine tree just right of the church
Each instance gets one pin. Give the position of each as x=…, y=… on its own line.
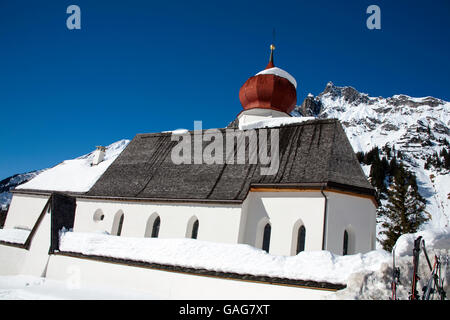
x=404, y=212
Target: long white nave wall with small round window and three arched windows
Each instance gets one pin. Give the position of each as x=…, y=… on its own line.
x=218, y=222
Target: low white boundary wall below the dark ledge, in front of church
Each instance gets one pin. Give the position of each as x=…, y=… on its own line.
x=169, y=285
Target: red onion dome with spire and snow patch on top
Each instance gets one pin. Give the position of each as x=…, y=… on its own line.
x=272, y=88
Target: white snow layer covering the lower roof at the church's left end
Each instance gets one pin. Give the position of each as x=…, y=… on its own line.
x=76, y=175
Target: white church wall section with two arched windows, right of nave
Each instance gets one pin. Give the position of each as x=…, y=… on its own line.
x=286, y=212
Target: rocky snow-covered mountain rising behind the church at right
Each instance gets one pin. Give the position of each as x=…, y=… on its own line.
x=417, y=127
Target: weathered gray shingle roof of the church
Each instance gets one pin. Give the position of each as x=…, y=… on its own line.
x=312, y=153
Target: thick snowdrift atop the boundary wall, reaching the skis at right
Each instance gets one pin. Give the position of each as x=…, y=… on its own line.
x=367, y=276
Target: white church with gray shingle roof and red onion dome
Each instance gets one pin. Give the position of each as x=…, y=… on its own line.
x=315, y=198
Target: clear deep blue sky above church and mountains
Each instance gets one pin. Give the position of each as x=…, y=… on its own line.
x=144, y=66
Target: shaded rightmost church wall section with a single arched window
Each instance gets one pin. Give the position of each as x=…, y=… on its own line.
x=355, y=214
